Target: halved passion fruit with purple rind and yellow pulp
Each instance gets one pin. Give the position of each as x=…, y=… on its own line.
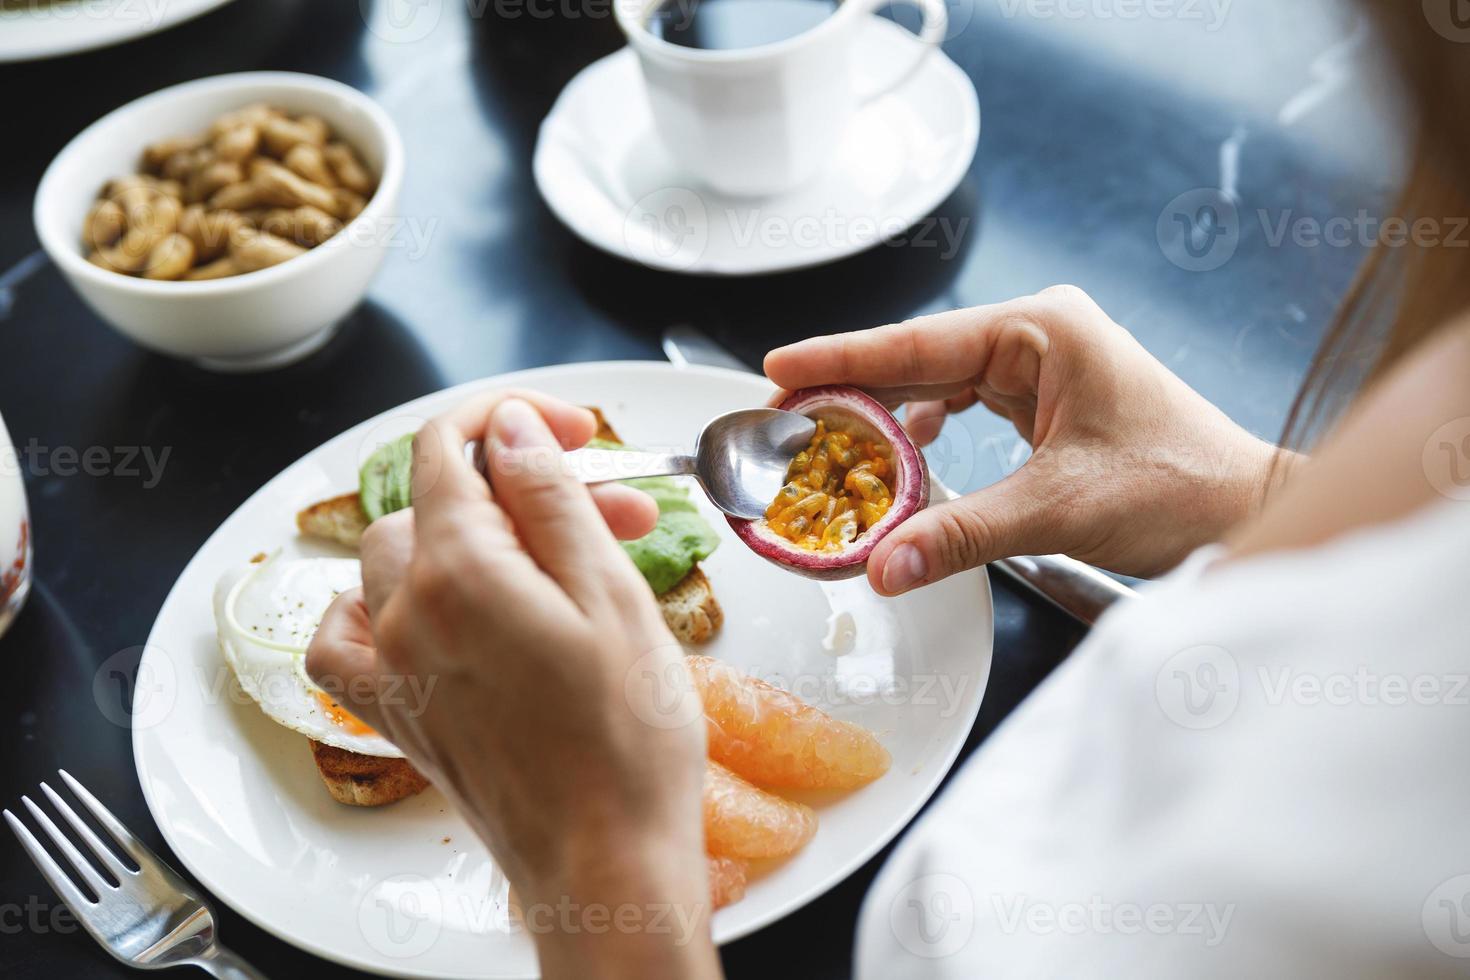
x=861, y=478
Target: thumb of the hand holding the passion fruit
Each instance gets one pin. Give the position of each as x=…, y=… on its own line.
x=999, y=522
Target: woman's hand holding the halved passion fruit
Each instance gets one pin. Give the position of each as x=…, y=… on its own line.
x=1131, y=468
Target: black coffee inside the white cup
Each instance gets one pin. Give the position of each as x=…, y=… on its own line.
x=733, y=24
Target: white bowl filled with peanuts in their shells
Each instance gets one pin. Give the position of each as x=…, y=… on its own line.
x=233, y=221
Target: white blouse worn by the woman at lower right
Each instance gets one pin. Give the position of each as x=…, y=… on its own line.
x=1256, y=771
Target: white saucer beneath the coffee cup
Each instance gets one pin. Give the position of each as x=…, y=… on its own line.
x=603, y=171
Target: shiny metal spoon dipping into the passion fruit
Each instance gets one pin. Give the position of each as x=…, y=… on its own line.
x=740, y=459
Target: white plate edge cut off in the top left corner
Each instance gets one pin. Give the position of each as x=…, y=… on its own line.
x=65, y=27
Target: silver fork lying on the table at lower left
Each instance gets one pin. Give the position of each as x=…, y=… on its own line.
x=152, y=919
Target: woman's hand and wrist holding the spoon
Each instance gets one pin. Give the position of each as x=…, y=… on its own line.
x=536, y=638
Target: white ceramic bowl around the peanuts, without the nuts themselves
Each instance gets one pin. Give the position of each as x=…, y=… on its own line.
x=251, y=323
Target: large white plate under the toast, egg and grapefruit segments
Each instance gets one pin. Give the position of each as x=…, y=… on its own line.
x=408, y=890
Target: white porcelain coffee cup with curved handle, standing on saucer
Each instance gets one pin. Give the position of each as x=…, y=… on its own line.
x=764, y=120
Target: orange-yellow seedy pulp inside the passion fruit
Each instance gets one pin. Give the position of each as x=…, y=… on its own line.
x=836, y=490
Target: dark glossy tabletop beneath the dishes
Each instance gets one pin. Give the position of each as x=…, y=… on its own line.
x=1094, y=123
